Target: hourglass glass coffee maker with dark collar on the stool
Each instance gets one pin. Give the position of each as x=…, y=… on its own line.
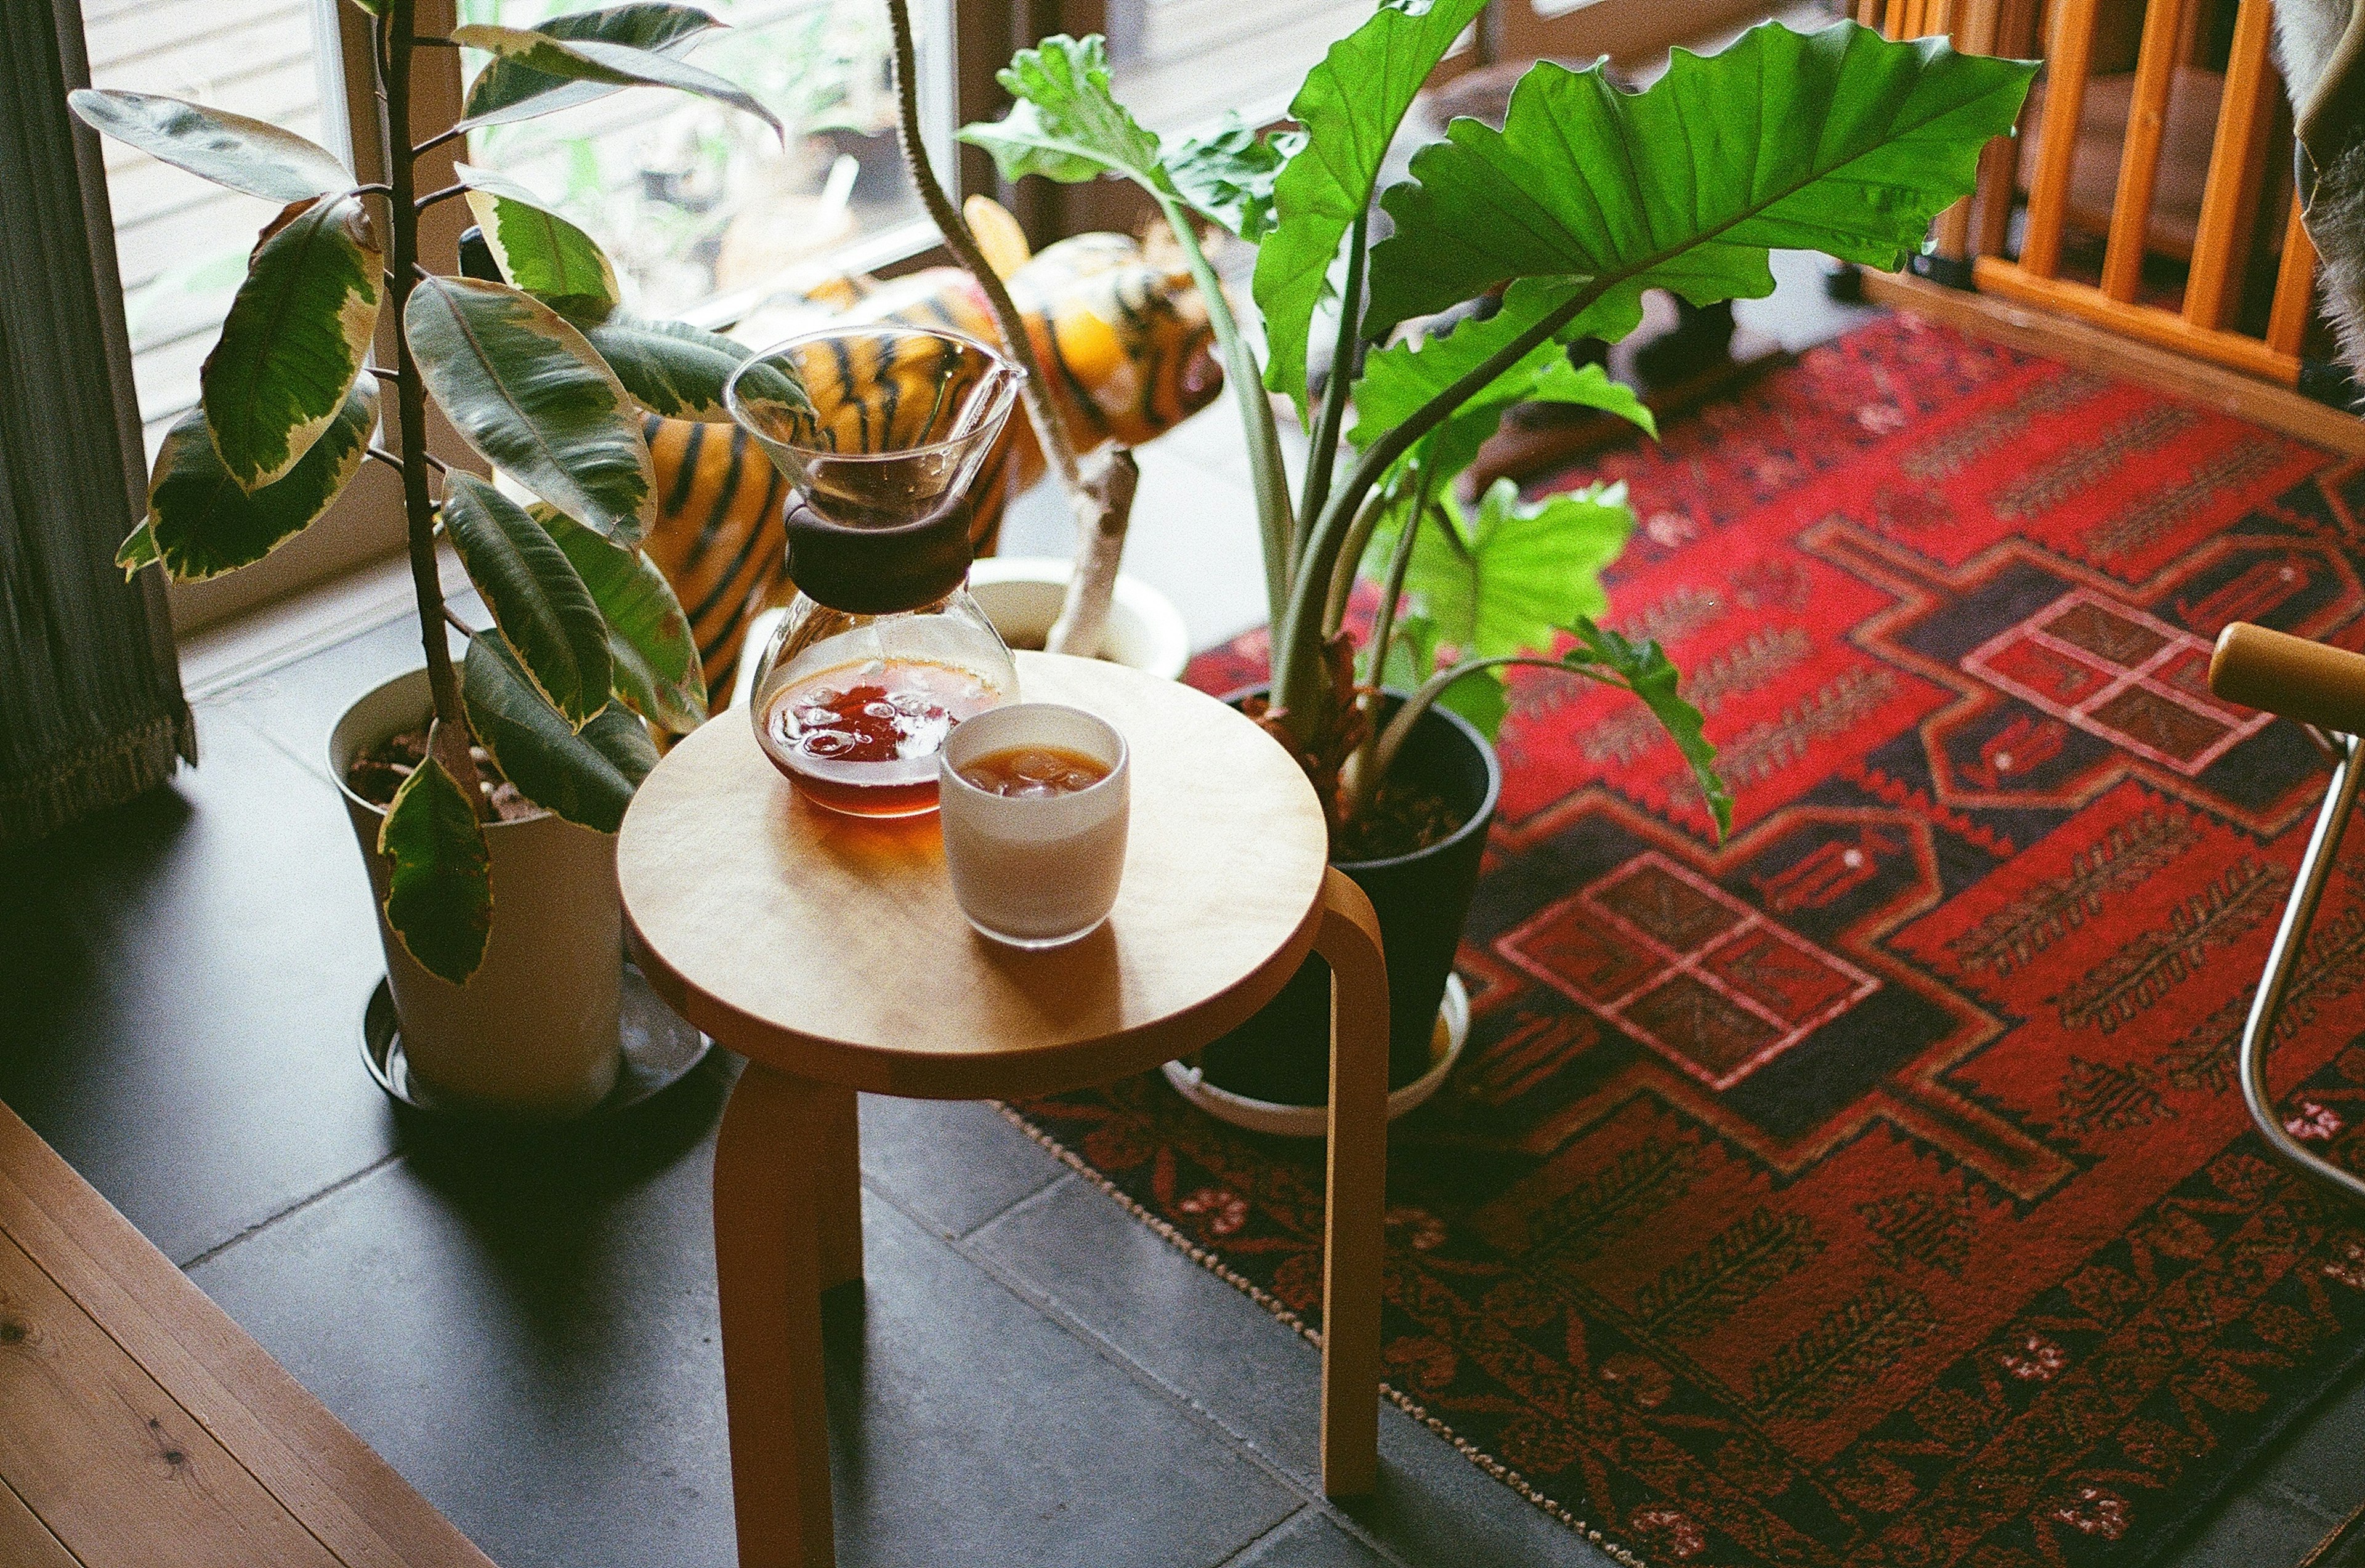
x=883, y=434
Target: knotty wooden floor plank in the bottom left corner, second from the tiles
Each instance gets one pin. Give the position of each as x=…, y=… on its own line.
x=110, y=1463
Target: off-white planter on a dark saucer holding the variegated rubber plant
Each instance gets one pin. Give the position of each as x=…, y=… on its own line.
x=536, y=1028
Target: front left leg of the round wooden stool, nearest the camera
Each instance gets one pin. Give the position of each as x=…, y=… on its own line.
x=770, y=1217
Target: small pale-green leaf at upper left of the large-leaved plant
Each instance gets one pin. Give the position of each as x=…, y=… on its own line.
x=1065, y=124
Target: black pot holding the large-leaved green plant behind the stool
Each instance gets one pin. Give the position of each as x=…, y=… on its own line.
x=1423, y=900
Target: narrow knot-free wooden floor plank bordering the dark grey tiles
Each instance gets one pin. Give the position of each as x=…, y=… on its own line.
x=290, y=1444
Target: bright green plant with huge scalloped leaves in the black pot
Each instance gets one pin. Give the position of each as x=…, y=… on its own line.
x=1832, y=141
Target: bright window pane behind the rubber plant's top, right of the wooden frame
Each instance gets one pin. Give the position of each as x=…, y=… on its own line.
x=701, y=207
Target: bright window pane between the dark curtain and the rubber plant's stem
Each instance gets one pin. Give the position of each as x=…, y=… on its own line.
x=183, y=242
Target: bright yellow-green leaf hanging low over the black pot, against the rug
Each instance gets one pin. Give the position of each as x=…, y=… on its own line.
x=1512, y=578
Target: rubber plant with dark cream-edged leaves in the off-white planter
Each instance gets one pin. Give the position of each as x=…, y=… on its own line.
x=543, y=375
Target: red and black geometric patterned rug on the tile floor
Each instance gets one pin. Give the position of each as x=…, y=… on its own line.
x=1874, y=1188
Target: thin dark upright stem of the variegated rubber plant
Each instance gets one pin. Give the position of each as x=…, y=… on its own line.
x=413, y=401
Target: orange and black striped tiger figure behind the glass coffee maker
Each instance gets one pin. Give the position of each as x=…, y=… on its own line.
x=1125, y=346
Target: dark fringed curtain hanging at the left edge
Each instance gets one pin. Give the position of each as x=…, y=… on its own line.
x=91, y=708
